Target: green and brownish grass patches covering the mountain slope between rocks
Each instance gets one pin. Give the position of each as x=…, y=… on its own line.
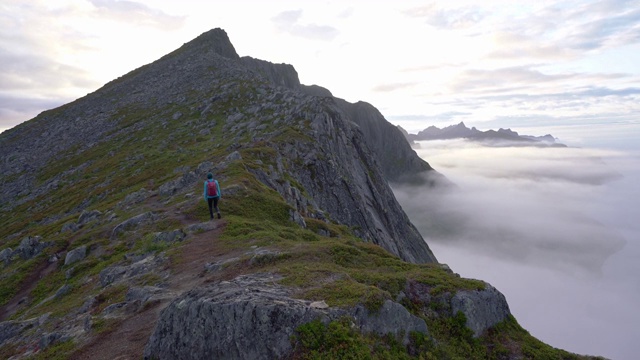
x=340, y=269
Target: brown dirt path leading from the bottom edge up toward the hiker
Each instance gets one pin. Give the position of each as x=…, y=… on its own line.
x=128, y=338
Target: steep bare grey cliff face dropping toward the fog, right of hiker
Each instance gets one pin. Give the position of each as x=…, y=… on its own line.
x=340, y=176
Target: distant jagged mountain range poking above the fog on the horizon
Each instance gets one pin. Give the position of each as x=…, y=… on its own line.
x=501, y=137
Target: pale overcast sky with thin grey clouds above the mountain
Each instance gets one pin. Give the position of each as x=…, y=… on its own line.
x=503, y=63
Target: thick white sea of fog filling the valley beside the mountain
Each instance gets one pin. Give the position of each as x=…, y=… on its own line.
x=554, y=229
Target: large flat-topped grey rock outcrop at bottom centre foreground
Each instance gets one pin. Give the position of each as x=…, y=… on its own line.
x=252, y=317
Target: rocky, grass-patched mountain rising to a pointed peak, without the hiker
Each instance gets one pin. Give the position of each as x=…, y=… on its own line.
x=107, y=249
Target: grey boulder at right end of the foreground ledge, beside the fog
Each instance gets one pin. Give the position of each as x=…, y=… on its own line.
x=483, y=308
